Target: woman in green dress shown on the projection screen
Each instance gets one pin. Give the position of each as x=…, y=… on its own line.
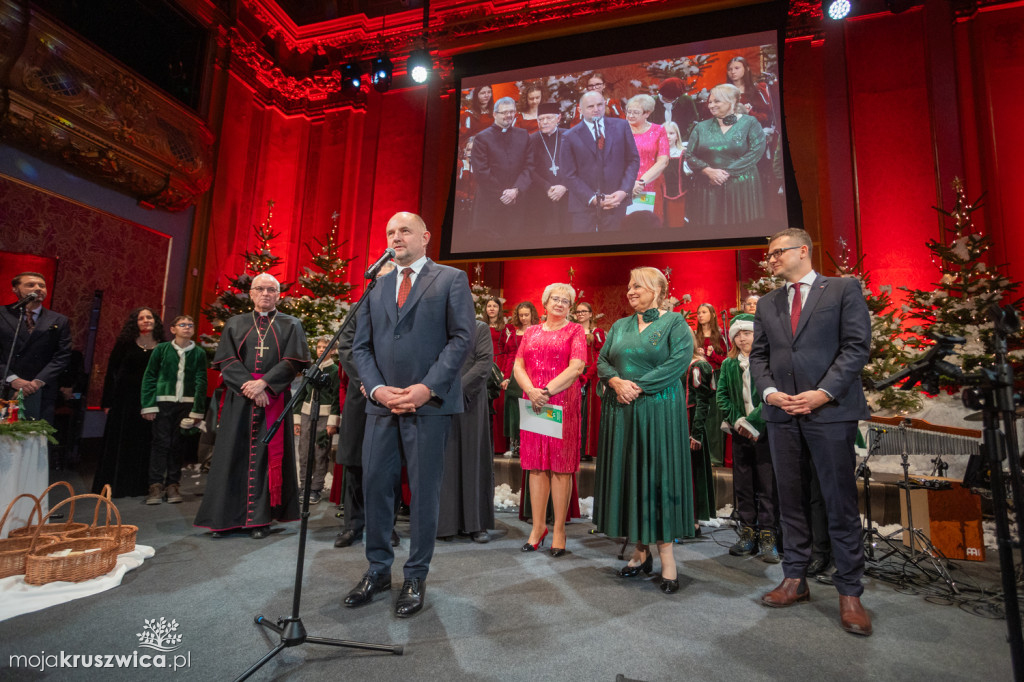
x=723, y=152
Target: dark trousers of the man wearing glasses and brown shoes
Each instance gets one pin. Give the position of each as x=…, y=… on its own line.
x=794, y=446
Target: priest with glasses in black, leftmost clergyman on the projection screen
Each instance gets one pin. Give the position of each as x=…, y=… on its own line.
x=500, y=162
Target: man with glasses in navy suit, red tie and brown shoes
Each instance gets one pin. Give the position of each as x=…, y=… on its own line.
x=812, y=340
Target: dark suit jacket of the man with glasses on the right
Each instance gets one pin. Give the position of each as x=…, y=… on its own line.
x=830, y=350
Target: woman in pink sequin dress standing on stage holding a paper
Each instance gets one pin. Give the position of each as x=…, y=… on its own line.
x=547, y=366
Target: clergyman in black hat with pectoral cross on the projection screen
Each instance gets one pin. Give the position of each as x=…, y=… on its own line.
x=547, y=204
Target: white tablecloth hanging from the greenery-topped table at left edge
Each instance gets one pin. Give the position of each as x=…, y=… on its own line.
x=24, y=468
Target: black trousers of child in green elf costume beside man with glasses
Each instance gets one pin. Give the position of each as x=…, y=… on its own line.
x=754, y=483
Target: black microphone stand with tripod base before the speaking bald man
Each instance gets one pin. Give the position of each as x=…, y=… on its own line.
x=291, y=630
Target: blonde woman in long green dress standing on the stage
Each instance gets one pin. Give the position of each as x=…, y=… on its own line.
x=645, y=483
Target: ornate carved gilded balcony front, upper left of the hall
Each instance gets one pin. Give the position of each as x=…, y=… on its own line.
x=74, y=106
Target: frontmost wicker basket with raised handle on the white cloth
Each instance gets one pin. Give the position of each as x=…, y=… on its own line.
x=91, y=558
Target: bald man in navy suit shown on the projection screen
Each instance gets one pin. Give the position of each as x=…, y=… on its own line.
x=604, y=169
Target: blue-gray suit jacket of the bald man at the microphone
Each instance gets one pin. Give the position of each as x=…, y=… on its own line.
x=425, y=343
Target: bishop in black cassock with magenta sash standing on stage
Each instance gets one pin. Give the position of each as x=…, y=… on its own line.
x=260, y=355
